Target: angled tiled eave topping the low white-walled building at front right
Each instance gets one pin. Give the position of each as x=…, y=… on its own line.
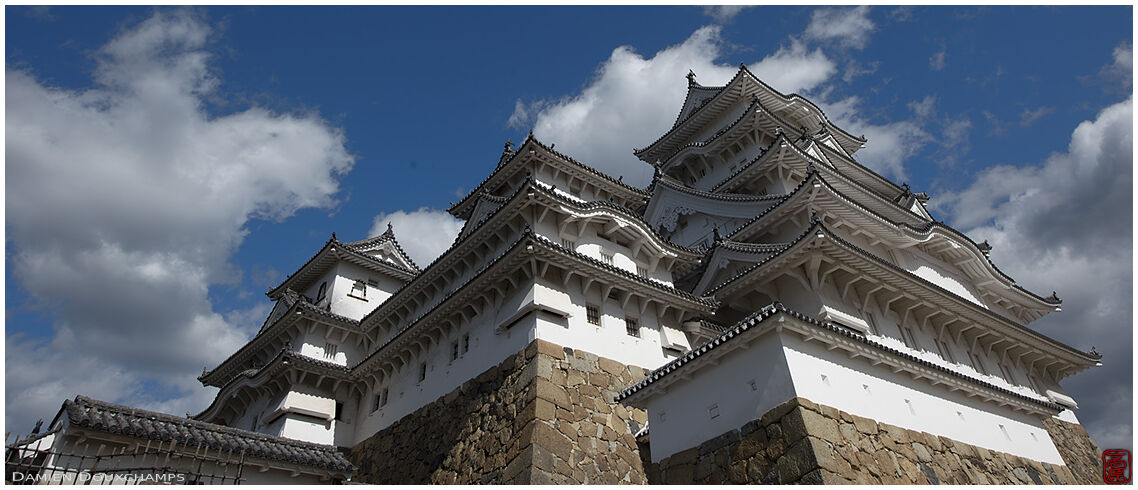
x=770, y=311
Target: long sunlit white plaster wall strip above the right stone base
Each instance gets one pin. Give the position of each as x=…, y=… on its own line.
x=879, y=394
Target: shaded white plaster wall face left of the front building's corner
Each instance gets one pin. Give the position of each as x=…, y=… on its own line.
x=681, y=418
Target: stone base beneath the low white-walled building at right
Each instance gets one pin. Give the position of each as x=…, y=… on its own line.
x=803, y=443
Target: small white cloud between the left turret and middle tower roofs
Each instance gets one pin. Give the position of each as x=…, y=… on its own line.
x=424, y=234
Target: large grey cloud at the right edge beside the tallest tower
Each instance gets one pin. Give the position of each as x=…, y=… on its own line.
x=1067, y=226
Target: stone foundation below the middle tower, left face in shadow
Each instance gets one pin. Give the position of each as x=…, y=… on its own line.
x=545, y=416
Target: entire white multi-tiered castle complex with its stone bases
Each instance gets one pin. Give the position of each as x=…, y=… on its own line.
x=768, y=311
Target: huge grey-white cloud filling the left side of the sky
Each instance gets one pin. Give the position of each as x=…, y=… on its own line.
x=126, y=202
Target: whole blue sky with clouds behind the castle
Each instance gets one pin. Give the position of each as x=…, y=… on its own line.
x=167, y=167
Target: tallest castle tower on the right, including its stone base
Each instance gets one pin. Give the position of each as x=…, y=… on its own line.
x=862, y=340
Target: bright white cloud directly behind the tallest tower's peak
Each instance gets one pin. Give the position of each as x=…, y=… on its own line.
x=633, y=99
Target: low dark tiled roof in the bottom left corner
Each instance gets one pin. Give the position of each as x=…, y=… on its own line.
x=88, y=413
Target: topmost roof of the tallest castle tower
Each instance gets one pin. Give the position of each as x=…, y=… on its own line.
x=706, y=104
